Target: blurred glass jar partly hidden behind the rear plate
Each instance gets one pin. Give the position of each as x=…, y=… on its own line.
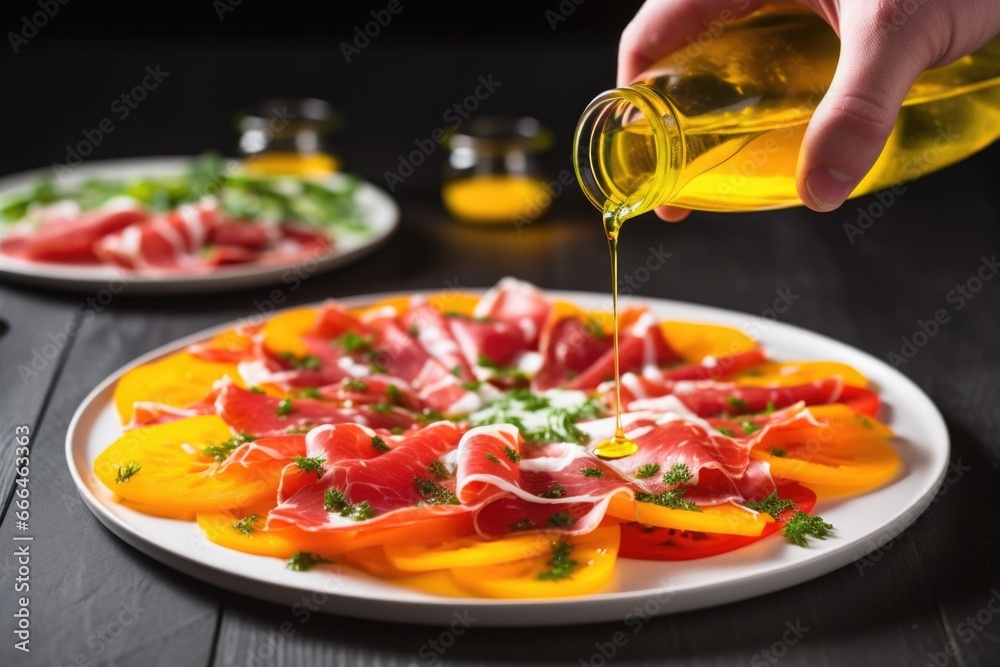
x=289, y=137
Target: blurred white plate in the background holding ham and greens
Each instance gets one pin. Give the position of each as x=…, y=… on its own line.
x=379, y=208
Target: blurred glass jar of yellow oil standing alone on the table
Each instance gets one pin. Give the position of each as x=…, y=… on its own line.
x=492, y=175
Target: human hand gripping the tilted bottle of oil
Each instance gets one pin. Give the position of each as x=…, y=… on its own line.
x=885, y=46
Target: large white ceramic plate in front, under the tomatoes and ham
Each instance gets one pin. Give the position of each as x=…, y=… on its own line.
x=863, y=523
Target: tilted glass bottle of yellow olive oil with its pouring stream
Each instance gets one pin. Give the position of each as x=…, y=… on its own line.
x=718, y=126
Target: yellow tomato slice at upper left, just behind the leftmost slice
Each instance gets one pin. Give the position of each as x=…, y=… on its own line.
x=177, y=380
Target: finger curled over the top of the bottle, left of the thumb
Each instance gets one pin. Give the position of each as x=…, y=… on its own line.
x=662, y=26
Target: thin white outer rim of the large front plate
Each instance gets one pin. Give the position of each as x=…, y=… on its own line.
x=437, y=610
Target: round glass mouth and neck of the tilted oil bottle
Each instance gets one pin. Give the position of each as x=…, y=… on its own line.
x=629, y=150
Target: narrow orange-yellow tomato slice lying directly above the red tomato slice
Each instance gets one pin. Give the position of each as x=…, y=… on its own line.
x=725, y=518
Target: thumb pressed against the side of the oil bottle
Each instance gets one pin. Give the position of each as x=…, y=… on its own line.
x=851, y=125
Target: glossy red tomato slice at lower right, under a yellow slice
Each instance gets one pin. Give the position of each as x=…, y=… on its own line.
x=651, y=543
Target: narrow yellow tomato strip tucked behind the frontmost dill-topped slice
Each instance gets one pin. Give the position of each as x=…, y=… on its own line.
x=466, y=552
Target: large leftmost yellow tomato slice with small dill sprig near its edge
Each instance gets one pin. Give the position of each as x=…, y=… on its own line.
x=172, y=472
